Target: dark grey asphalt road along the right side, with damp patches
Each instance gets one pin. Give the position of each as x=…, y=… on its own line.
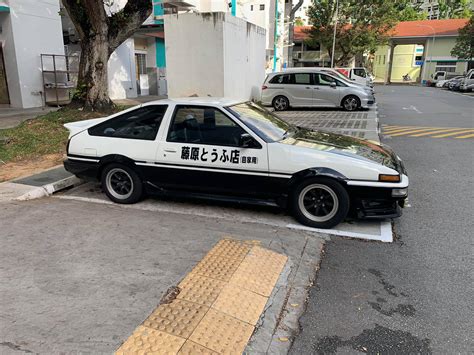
x=415, y=295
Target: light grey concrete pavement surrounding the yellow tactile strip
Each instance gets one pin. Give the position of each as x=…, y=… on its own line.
x=80, y=277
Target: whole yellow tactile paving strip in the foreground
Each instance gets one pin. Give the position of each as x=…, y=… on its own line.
x=215, y=308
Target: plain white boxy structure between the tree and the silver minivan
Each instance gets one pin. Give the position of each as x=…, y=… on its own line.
x=214, y=54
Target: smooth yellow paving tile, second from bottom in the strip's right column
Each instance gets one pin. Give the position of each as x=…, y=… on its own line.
x=241, y=304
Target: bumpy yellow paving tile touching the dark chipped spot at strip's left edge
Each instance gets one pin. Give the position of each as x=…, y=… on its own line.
x=200, y=289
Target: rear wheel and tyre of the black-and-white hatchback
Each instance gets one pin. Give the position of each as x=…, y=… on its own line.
x=121, y=184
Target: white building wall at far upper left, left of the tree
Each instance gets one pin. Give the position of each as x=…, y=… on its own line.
x=35, y=29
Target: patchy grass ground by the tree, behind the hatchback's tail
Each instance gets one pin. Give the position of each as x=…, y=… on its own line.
x=40, y=136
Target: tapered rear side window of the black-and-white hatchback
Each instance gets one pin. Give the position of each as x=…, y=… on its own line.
x=142, y=123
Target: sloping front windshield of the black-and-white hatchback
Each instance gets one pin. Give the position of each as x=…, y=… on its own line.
x=266, y=125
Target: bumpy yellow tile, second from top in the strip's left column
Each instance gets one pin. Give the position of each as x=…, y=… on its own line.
x=217, y=267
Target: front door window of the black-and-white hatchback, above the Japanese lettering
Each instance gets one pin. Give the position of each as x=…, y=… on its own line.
x=204, y=125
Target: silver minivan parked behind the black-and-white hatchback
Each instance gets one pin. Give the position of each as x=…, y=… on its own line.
x=312, y=87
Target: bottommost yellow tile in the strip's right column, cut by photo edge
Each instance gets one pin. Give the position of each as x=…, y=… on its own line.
x=222, y=333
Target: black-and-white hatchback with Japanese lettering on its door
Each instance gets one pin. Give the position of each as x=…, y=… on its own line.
x=231, y=150
